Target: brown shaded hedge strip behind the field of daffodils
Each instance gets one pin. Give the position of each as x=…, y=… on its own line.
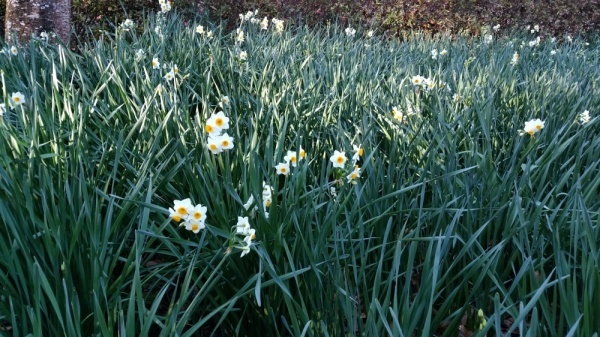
x=390, y=17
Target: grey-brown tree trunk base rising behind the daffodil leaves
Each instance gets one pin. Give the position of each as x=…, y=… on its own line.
x=27, y=17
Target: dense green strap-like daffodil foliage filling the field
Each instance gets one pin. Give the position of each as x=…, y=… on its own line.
x=475, y=206
